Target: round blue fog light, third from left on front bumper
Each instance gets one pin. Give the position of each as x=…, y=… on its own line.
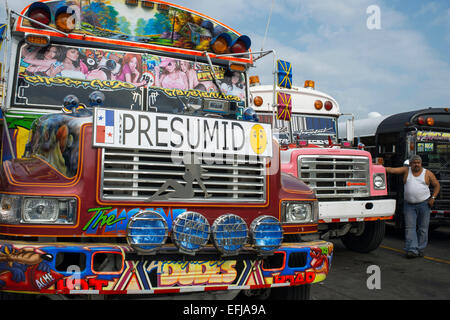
x=229, y=233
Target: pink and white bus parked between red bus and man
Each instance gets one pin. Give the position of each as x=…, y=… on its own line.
x=351, y=189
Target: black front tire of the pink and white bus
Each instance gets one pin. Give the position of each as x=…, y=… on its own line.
x=369, y=240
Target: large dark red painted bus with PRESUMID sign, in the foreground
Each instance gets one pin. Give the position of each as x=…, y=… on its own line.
x=132, y=162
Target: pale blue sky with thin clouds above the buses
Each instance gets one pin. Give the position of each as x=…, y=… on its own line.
x=370, y=55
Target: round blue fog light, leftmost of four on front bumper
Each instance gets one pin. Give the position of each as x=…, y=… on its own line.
x=147, y=231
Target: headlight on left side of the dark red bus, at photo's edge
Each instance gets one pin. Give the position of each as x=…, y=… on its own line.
x=38, y=210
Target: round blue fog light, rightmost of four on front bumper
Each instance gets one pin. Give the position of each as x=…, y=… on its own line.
x=267, y=234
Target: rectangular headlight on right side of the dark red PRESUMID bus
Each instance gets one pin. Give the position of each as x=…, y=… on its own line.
x=299, y=212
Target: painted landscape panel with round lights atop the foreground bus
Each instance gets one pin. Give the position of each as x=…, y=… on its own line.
x=163, y=26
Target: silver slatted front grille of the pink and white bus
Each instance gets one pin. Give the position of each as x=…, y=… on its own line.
x=332, y=176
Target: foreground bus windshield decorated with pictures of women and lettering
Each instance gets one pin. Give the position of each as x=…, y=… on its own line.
x=130, y=80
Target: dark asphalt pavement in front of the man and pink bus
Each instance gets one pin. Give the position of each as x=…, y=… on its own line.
x=425, y=278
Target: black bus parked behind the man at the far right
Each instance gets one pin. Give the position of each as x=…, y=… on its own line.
x=393, y=139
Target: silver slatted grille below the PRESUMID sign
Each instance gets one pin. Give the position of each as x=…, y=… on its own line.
x=137, y=175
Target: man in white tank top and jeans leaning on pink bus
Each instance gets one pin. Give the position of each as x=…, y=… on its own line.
x=417, y=204
